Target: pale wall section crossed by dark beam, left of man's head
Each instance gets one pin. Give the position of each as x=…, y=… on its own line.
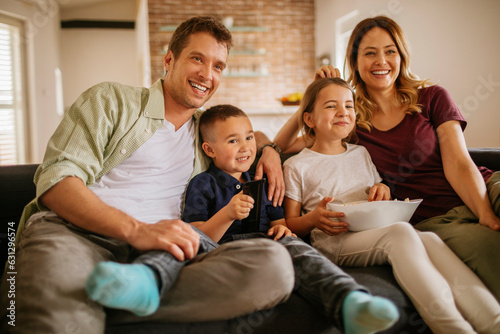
x=90, y=56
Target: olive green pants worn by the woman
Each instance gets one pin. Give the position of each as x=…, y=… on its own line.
x=476, y=245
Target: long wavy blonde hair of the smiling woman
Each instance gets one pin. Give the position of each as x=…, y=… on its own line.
x=407, y=83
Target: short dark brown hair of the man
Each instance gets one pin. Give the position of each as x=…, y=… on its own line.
x=196, y=24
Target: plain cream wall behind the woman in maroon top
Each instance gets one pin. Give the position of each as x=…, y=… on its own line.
x=454, y=43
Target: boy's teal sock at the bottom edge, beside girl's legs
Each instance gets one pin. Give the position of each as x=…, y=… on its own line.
x=365, y=314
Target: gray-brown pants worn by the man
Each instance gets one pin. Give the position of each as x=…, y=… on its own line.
x=54, y=259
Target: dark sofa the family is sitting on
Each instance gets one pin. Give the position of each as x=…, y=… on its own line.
x=294, y=316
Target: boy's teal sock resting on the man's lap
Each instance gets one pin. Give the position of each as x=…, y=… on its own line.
x=131, y=287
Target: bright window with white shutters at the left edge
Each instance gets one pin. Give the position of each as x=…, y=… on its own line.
x=13, y=123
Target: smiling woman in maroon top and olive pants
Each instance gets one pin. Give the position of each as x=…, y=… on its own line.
x=414, y=136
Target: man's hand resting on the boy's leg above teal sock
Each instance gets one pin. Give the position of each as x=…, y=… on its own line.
x=171, y=235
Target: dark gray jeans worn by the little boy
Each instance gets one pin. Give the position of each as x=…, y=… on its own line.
x=317, y=279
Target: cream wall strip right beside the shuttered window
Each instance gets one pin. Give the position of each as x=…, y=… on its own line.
x=42, y=43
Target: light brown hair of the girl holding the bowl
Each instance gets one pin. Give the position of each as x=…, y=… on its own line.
x=309, y=100
